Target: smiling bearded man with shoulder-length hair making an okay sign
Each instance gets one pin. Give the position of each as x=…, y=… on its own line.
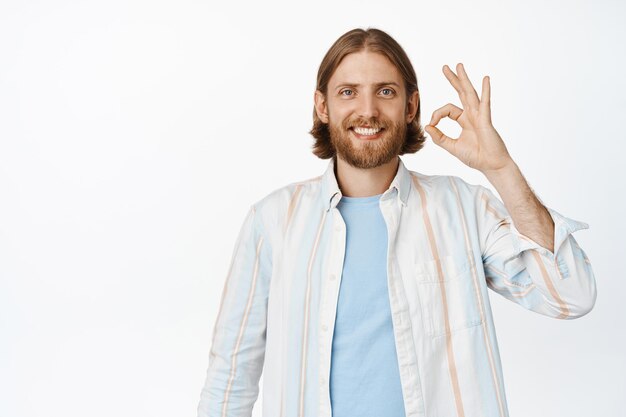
x=363, y=292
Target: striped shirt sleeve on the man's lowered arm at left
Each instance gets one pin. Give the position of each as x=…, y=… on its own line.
x=238, y=344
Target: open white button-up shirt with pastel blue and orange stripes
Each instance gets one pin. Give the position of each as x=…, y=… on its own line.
x=448, y=243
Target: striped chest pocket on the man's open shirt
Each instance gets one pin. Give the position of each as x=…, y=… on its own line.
x=449, y=292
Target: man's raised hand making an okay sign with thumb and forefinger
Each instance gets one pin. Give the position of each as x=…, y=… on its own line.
x=479, y=146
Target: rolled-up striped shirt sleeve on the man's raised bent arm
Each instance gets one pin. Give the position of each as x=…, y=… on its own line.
x=558, y=284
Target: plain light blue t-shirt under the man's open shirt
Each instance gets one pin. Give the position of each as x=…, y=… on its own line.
x=364, y=374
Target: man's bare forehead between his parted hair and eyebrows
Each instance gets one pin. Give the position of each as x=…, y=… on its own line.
x=365, y=67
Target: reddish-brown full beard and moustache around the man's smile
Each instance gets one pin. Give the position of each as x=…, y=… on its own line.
x=367, y=153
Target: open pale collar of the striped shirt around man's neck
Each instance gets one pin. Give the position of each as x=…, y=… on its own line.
x=400, y=185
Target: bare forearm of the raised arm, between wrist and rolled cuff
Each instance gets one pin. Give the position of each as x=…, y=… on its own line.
x=530, y=217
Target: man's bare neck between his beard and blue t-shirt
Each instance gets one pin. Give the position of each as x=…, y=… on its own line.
x=357, y=182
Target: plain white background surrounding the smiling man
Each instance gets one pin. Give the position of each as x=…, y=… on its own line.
x=134, y=135
